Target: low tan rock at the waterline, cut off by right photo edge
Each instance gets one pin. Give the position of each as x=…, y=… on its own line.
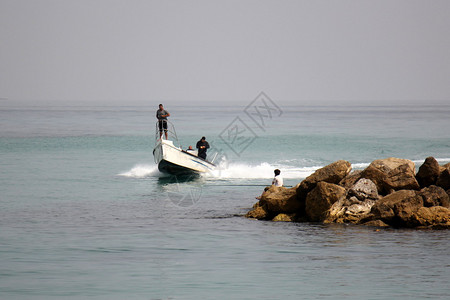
x=436, y=217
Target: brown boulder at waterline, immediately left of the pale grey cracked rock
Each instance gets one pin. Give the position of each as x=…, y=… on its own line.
x=321, y=198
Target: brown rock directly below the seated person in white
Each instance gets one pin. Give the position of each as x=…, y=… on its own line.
x=280, y=200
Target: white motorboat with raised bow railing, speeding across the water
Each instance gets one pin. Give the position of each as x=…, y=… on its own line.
x=172, y=159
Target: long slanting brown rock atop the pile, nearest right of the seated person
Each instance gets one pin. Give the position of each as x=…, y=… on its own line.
x=332, y=173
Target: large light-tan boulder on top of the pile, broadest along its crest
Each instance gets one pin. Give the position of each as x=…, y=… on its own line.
x=392, y=174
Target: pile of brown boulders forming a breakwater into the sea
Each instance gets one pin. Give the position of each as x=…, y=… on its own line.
x=387, y=193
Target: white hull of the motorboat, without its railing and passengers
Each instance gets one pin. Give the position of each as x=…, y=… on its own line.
x=172, y=160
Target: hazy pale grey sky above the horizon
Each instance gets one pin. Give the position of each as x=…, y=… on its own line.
x=305, y=52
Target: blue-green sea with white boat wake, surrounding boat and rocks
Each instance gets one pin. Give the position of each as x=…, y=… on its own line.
x=85, y=213
